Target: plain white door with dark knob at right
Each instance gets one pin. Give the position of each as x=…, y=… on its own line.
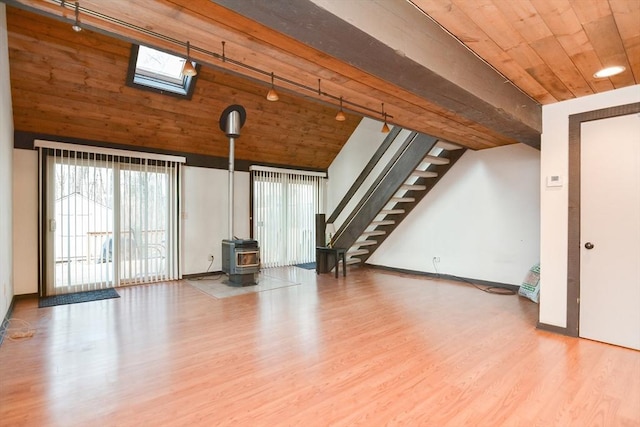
x=610, y=231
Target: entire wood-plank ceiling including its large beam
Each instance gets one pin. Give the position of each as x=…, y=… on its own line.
x=72, y=84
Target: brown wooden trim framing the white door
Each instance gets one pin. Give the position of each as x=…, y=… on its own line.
x=573, y=234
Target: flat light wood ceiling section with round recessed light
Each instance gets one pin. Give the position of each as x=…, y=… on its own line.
x=549, y=48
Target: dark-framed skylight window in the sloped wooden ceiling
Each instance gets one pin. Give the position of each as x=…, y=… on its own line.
x=158, y=71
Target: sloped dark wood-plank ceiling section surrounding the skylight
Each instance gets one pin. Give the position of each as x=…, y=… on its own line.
x=71, y=84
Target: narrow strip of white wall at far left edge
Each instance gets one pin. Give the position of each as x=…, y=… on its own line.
x=6, y=145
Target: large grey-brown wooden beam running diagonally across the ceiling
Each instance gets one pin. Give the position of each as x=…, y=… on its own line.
x=454, y=78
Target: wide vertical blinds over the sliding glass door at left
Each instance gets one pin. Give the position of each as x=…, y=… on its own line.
x=110, y=217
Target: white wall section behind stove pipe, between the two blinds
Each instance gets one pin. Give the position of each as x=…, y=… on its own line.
x=205, y=211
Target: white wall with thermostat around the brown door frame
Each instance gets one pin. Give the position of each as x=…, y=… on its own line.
x=554, y=200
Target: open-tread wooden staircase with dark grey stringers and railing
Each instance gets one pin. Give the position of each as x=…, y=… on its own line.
x=415, y=169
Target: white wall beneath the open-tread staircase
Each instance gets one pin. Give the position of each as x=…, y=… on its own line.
x=481, y=220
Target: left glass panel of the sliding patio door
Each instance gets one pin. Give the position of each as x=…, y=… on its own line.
x=81, y=225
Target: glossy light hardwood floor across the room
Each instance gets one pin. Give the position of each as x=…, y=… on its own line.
x=375, y=348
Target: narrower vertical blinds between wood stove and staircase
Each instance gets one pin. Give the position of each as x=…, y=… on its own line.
x=284, y=206
